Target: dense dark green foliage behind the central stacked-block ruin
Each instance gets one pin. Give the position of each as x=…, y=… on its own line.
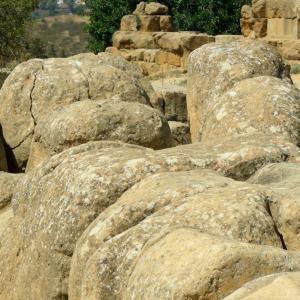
x=210, y=16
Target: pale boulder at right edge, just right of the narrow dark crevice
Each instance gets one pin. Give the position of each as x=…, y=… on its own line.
x=284, y=179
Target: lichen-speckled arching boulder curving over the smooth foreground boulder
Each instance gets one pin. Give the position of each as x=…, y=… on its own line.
x=215, y=205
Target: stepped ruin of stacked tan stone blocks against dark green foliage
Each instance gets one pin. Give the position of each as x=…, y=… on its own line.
x=149, y=39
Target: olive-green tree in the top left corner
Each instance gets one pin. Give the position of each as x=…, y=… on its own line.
x=14, y=15
